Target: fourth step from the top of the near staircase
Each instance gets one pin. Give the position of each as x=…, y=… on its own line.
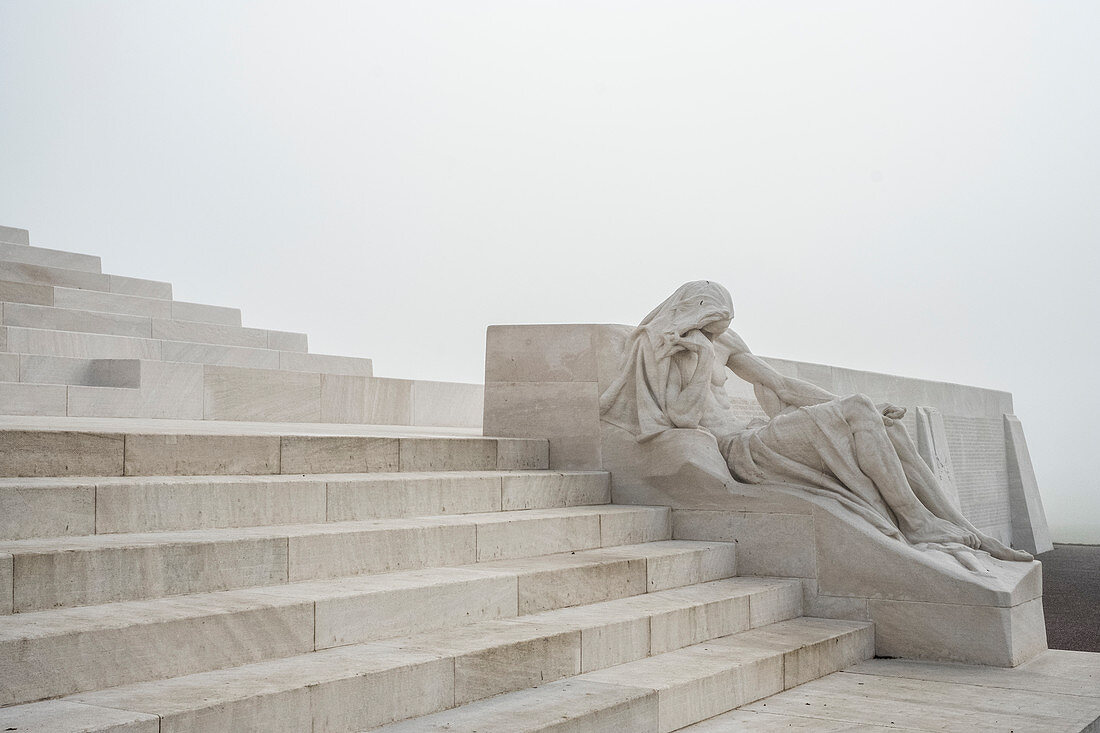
x=54, y=653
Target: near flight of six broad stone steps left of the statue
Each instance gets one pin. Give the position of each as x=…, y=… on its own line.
x=204, y=582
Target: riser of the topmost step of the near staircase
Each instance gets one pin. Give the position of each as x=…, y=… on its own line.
x=59, y=454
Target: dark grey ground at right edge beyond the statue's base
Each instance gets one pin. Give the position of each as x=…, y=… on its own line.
x=1072, y=597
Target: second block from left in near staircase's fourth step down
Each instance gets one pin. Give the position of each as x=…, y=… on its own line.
x=379, y=607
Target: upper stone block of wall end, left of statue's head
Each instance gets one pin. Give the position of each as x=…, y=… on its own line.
x=542, y=354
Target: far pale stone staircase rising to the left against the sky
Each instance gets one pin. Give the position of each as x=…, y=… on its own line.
x=78, y=343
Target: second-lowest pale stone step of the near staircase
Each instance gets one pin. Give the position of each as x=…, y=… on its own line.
x=362, y=686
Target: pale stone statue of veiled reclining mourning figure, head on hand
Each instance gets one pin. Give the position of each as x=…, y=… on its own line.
x=845, y=448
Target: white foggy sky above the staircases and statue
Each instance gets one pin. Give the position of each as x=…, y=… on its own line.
x=909, y=188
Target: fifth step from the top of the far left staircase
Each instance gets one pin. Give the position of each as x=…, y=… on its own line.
x=52, y=319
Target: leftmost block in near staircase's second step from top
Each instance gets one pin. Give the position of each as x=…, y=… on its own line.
x=37, y=509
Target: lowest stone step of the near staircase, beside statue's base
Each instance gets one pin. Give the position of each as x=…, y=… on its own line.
x=668, y=692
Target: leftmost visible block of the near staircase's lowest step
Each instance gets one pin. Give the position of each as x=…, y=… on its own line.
x=564, y=707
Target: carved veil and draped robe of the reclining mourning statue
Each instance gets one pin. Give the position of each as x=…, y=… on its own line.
x=670, y=379
